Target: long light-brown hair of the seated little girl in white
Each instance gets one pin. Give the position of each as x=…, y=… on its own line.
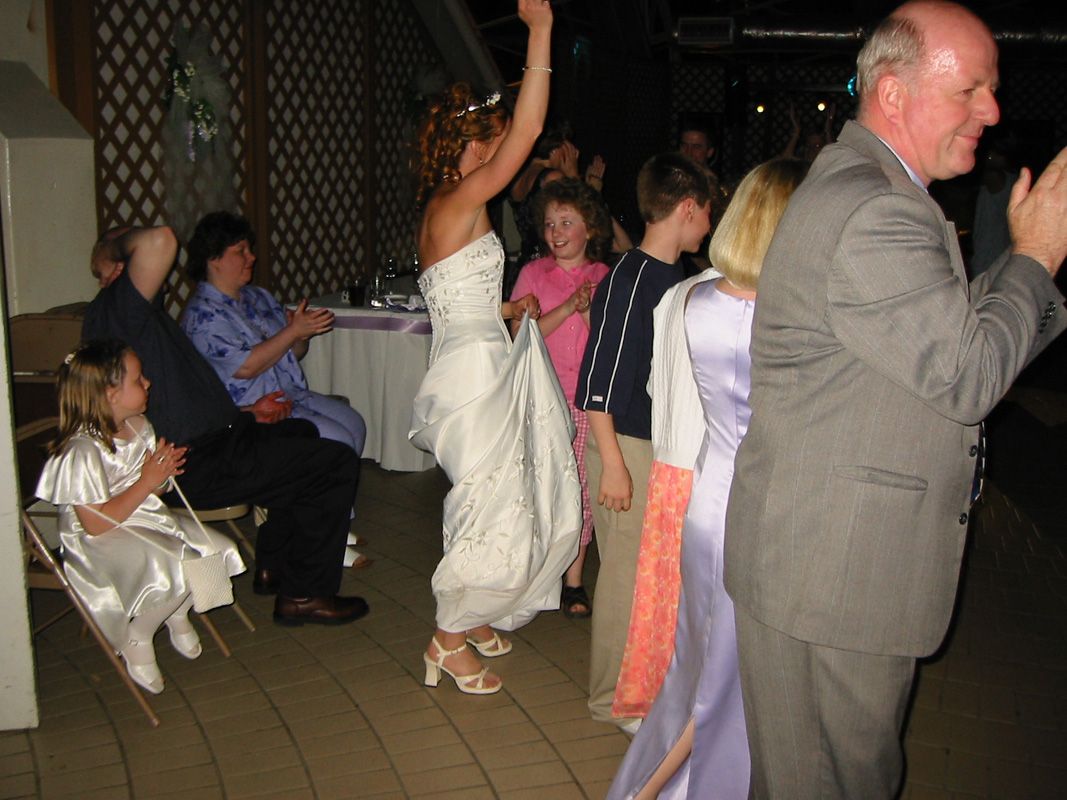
x=85, y=378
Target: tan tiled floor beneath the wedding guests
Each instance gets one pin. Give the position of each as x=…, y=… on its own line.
x=342, y=713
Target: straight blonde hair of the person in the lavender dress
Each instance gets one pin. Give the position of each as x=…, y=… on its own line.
x=742, y=239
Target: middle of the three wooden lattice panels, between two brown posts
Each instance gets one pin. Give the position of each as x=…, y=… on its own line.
x=317, y=55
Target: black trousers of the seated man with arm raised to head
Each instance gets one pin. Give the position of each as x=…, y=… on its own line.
x=306, y=483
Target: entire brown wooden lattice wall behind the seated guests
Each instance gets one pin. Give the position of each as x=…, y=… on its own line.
x=318, y=124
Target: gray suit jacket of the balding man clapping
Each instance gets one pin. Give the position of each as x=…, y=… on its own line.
x=873, y=362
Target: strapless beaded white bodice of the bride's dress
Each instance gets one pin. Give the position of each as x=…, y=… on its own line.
x=463, y=296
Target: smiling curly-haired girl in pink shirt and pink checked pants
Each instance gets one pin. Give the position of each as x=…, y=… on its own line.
x=578, y=231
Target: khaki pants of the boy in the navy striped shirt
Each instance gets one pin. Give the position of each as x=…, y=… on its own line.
x=618, y=542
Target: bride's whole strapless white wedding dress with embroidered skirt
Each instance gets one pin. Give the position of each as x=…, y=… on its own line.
x=492, y=413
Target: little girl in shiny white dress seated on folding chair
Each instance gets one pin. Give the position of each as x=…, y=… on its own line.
x=107, y=468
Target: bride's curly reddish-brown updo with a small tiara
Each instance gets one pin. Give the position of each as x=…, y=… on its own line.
x=456, y=118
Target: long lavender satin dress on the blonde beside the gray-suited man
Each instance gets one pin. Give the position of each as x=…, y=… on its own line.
x=703, y=682
